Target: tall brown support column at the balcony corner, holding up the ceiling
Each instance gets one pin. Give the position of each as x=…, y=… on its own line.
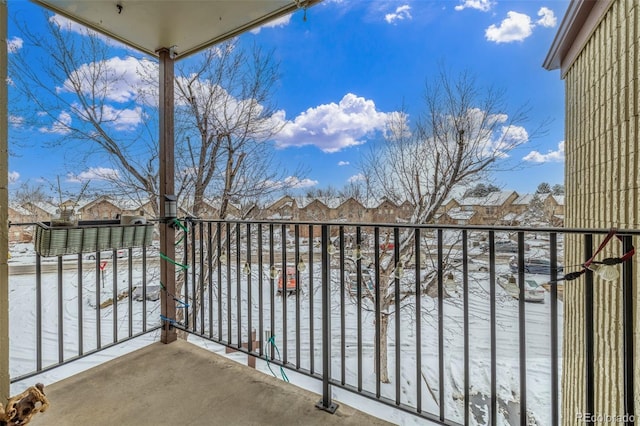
x=167, y=187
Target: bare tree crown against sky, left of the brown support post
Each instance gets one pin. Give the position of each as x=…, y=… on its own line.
x=83, y=102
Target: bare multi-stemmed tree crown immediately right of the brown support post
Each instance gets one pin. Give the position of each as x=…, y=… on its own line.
x=225, y=118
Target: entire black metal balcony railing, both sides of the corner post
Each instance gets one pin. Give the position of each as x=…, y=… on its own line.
x=451, y=324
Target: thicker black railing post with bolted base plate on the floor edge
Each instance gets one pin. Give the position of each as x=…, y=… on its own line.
x=325, y=403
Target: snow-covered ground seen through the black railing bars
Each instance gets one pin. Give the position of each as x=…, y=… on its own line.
x=23, y=330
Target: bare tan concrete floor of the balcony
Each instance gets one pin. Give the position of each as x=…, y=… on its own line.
x=183, y=384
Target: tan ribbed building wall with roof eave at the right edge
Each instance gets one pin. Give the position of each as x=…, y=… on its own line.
x=597, y=49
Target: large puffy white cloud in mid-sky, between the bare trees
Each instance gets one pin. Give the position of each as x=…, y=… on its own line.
x=333, y=127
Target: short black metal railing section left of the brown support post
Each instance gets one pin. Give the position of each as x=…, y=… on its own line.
x=64, y=308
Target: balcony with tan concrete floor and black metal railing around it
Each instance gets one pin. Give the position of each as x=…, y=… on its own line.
x=436, y=322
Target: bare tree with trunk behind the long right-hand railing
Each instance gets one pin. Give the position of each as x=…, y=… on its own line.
x=461, y=135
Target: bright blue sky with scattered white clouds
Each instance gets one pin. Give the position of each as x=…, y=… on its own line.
x=353, y=62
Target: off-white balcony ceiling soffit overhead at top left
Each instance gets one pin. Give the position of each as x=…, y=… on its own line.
x=190, y=26
